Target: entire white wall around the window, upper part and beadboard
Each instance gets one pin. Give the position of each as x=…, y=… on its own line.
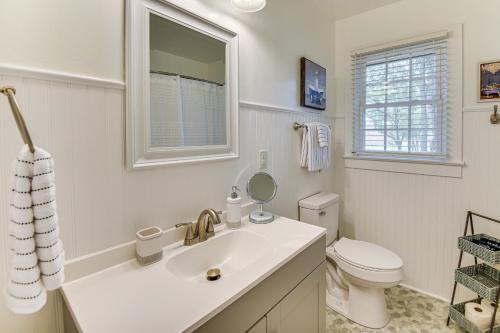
x=420, y=217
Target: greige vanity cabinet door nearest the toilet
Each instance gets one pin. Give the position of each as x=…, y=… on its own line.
x=303, y=309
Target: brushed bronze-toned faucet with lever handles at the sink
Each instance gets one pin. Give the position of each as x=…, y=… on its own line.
x=203, y=229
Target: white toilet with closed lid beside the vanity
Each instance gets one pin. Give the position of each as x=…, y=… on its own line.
x=357, y=271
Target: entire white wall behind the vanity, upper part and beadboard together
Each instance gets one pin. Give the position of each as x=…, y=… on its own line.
x=81, y=122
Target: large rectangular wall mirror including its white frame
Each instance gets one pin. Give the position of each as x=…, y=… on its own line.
x=182, y=87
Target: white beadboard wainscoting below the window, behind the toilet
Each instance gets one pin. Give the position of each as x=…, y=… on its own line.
x=420, y=217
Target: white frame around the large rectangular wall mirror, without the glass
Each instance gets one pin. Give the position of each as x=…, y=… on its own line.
x=138, y=151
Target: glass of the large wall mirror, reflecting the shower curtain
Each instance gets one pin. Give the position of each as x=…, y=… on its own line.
x=187, y=86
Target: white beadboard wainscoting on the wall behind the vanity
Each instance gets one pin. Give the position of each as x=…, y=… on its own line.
x=81, y=122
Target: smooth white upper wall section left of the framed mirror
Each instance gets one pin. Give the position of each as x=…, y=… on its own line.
x=85, y=37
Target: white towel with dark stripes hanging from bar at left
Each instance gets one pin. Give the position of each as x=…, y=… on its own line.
x=37, y=252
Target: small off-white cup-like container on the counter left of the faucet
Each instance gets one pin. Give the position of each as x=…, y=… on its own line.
x=149, y=246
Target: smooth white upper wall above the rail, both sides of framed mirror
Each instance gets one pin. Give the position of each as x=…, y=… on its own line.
x=87, y=37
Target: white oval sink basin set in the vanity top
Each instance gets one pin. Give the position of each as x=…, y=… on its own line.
x=230, y=252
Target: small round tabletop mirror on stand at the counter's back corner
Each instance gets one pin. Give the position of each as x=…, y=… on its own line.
x=261, y=188
